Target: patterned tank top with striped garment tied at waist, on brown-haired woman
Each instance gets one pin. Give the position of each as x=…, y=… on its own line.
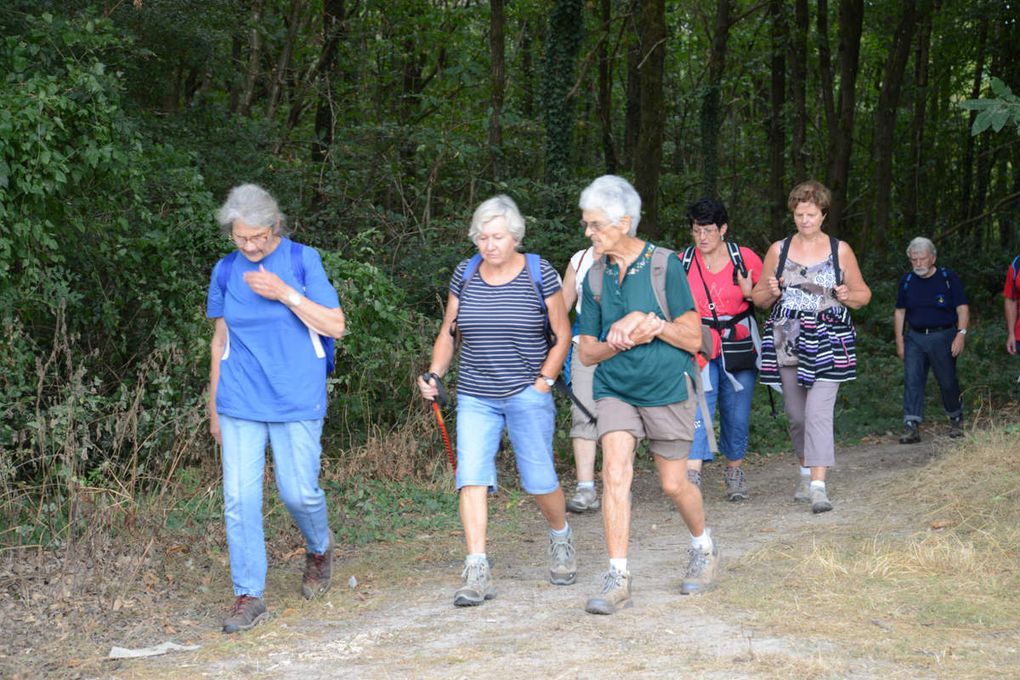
x=809, y=330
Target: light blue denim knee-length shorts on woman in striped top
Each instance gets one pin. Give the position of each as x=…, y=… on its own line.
x=530, y=416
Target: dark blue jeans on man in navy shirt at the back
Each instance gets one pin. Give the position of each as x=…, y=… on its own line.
x=921, y=352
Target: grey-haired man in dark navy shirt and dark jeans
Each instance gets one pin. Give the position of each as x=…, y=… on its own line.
x=932, y=318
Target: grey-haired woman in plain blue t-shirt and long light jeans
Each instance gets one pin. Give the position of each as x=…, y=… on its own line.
x=274, y=306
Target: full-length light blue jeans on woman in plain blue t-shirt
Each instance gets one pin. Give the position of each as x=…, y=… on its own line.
x=296, y=452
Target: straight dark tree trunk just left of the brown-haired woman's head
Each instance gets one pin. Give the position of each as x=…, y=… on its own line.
x=777, y=127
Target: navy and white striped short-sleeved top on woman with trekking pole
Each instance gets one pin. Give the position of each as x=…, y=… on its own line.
x=502, y=331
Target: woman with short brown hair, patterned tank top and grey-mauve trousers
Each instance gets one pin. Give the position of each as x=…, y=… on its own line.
x=808, y=346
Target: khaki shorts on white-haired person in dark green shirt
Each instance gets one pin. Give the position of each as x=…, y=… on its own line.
x=670, y=429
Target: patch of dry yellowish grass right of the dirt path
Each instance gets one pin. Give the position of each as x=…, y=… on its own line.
x=927, y=581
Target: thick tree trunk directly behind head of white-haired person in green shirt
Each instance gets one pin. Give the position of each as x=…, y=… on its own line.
x=648, y=164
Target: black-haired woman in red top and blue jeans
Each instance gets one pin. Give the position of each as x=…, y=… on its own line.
x=723, y=295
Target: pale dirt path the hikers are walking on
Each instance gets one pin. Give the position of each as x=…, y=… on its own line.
x=535, y=630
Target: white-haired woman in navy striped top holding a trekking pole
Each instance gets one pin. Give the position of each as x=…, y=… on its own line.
x=498, y=306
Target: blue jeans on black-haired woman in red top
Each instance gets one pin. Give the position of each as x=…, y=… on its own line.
x=735, y=412
